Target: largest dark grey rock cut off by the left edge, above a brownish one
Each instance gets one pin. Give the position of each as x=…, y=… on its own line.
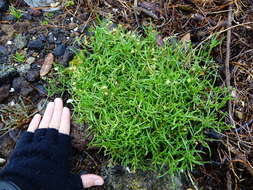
x=7, y=74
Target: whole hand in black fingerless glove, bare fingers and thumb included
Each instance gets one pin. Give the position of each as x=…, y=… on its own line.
x=40, y=159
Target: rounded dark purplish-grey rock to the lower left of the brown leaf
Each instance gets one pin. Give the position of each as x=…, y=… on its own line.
x=22, y=86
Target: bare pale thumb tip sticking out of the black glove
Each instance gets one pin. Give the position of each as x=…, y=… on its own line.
x=90, y=180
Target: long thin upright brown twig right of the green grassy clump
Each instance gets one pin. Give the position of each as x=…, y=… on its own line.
x=227, y=71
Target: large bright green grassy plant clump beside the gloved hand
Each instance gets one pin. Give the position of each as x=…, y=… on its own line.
x=147, y=106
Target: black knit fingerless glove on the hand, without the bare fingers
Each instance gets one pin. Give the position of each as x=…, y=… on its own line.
x=40, y=161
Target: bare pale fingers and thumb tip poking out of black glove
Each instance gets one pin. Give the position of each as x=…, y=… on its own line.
x=58, y=117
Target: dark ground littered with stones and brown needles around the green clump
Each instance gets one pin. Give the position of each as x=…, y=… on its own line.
x=39, y=33
